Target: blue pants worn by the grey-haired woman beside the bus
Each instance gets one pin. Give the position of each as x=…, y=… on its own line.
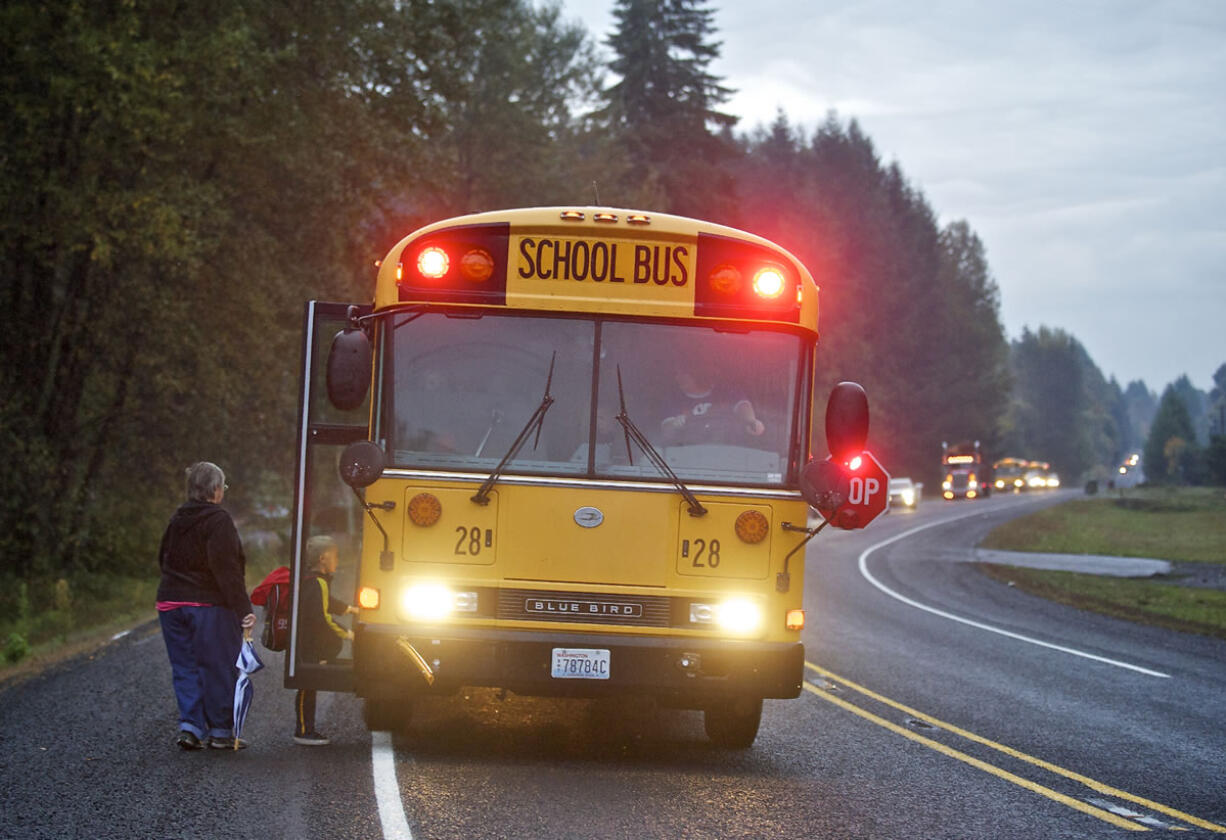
x=203, y=644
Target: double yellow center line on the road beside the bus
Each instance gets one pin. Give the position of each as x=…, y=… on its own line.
x=1008, y=751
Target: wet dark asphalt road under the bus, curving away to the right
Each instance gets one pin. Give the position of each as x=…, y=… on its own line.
x=940, y=704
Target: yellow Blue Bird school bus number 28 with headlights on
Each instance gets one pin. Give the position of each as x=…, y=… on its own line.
x=563, y=453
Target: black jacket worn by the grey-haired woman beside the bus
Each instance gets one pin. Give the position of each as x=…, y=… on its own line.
x=202, y=559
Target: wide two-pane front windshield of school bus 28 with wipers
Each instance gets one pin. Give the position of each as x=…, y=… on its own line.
x=720, y=408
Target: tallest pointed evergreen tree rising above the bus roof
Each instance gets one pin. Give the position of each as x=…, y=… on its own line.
x=664, y=109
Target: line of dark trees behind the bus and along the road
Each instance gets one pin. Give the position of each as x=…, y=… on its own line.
x=180, y=178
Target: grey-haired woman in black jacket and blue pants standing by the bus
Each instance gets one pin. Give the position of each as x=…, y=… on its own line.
x=203, y=606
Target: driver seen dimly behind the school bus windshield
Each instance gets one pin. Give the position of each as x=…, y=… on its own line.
x=708, y=411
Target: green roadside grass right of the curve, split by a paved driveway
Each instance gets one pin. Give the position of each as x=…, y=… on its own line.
x=1181, y=525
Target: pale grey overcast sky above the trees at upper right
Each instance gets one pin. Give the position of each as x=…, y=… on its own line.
x=1083, y=140
